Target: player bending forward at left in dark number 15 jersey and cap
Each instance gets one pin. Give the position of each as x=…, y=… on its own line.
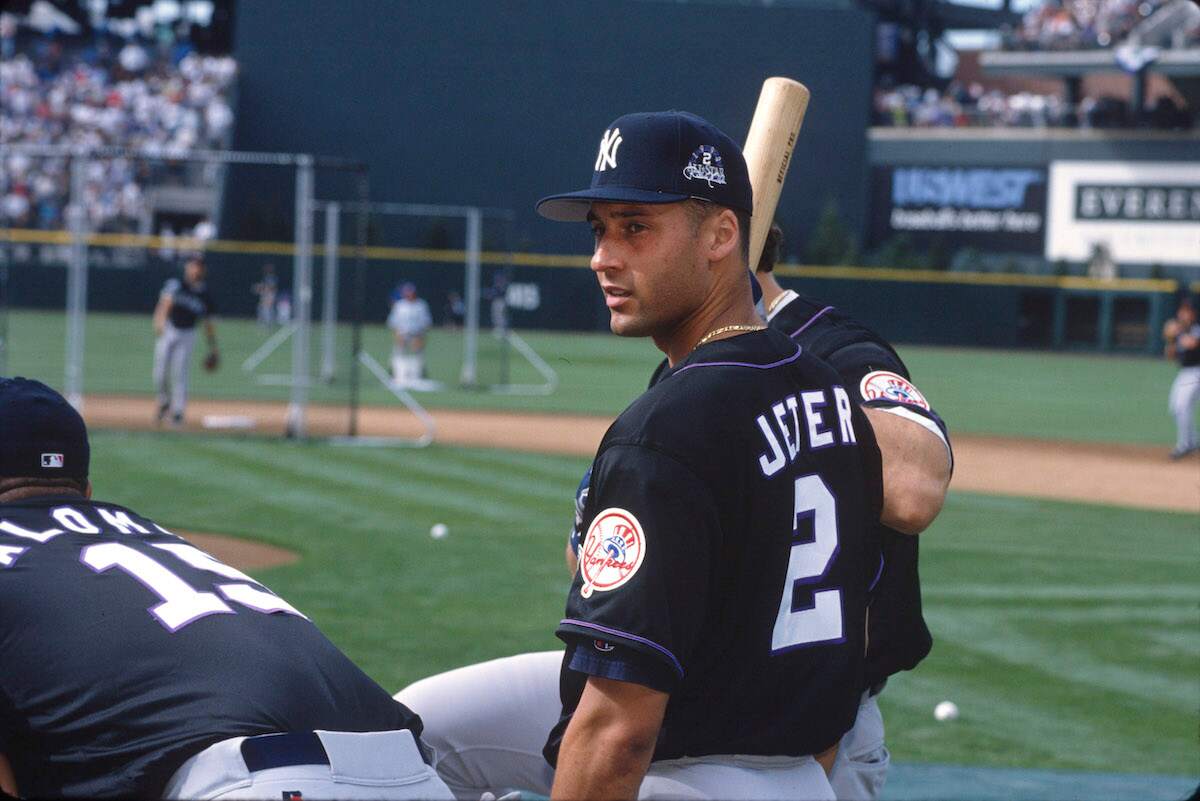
x=137, y=666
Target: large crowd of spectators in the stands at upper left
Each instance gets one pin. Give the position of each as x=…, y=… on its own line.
x=161, y=98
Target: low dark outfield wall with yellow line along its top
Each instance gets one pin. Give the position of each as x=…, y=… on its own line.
x=560, y=293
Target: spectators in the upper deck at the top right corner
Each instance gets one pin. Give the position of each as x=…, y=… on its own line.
x=1085, y=25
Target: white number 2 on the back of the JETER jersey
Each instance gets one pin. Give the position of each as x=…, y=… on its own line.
x=808, y=563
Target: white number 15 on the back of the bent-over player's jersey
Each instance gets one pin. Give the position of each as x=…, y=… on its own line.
x=183, y=604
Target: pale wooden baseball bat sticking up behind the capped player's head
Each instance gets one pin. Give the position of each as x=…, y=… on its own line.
x=769, y=152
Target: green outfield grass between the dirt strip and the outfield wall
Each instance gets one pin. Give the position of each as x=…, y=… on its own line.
x=1017, y=394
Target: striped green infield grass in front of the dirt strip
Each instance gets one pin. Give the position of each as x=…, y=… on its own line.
x=1070, y=636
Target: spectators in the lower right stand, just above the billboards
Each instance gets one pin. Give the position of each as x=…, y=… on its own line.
x=971, y=106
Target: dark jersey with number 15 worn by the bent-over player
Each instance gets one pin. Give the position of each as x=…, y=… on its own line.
x=127, y=652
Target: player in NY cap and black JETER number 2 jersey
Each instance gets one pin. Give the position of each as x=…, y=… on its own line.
x=723, y=583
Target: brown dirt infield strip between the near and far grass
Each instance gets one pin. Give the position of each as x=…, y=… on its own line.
x=1120, y=475
